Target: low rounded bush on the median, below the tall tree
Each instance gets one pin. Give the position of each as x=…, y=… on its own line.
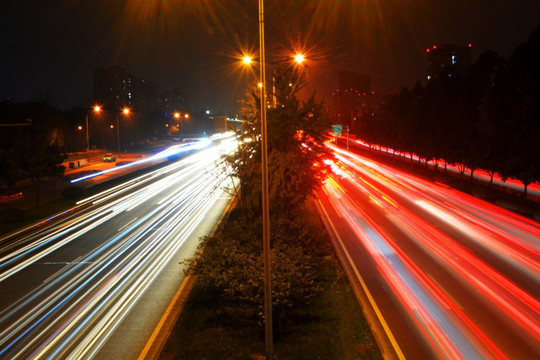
x=230, y=267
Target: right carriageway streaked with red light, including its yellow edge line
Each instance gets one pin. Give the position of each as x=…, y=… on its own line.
x=443, y=274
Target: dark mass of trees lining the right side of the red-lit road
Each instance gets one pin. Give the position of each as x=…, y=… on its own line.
x=488, y=118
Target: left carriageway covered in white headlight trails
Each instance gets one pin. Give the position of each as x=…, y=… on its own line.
x=90, y=283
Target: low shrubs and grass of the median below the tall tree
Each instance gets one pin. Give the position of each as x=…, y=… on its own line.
x=316, y=315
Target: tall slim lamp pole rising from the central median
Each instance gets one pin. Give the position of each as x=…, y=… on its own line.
x=266, y=211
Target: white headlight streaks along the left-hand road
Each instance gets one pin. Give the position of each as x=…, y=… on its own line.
x=119, y=271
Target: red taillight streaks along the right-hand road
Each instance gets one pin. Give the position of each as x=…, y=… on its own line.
x=445, y=325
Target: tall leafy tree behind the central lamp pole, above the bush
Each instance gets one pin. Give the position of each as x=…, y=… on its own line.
x=296, y=153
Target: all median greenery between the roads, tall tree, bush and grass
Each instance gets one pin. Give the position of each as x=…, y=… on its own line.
x=314, y=312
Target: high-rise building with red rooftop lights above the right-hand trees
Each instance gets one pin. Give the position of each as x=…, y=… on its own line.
x=449, y=59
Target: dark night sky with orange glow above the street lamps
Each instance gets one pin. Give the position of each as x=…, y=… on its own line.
x=54, y=46
